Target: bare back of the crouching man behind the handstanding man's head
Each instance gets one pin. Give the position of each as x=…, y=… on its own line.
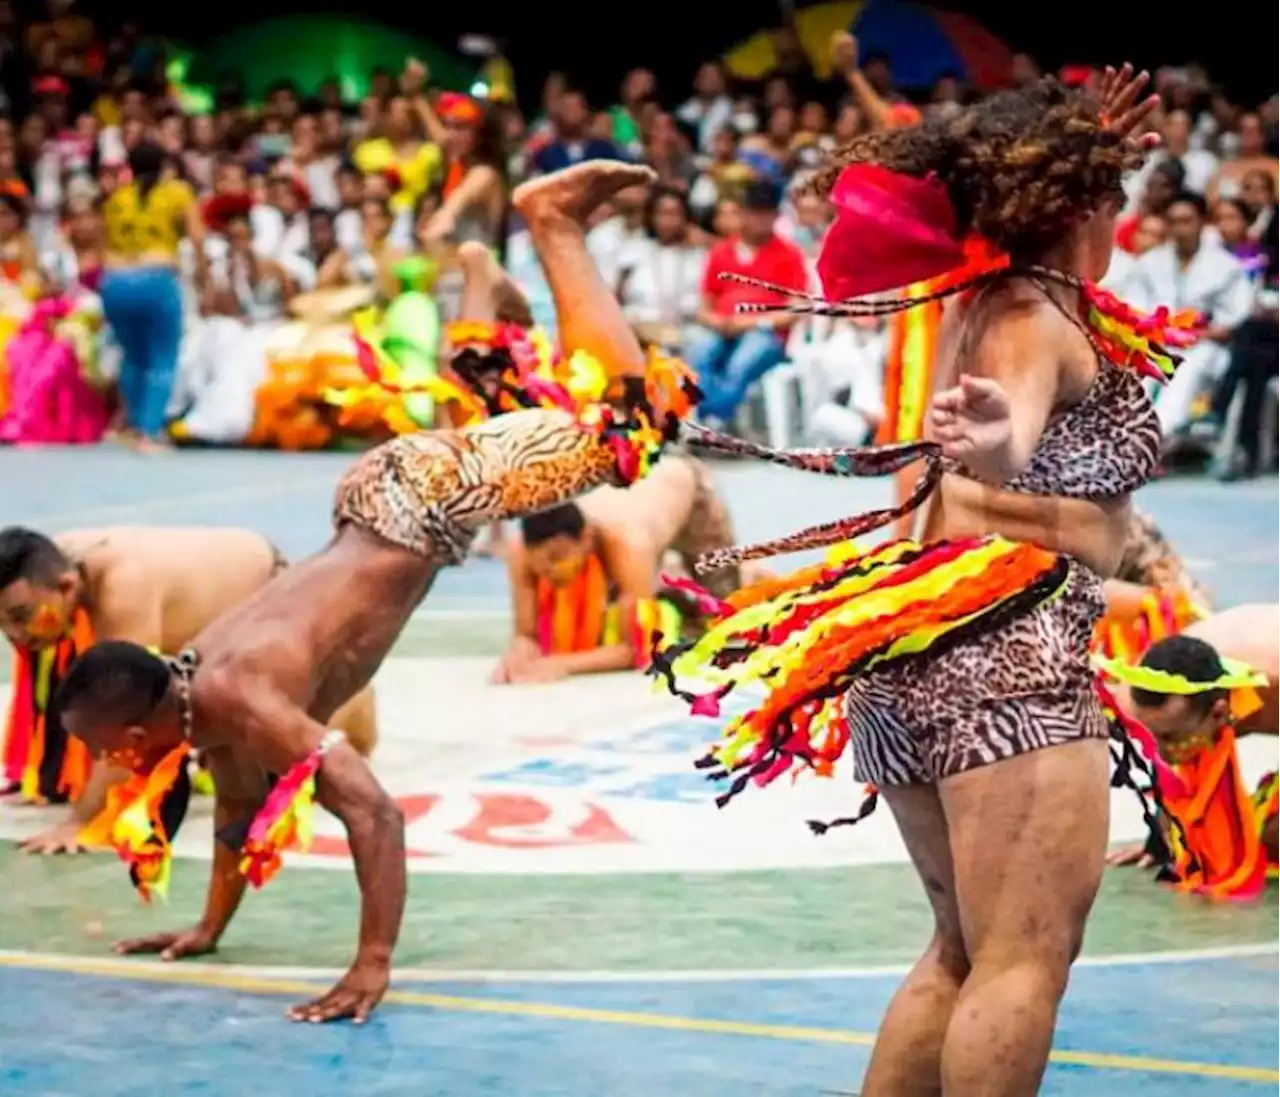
x=191, y=575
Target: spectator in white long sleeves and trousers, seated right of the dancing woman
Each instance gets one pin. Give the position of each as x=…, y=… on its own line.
x=1194, y=272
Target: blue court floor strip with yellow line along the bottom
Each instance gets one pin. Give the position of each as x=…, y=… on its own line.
x=1194, y=1027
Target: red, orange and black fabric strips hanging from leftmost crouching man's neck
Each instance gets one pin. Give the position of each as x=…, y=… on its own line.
x=42, y=761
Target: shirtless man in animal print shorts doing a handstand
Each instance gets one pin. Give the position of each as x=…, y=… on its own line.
x=255, y=692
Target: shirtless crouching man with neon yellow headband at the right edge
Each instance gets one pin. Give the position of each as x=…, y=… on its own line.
x=1186, y=725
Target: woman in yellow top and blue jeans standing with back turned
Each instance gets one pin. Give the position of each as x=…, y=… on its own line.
x=147, y=221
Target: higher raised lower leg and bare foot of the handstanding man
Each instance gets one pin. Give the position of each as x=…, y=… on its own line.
x=556, y=209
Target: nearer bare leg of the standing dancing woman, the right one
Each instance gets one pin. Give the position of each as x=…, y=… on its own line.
x=1028, y=842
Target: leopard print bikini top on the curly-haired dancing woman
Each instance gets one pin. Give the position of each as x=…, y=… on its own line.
x=1104, y=447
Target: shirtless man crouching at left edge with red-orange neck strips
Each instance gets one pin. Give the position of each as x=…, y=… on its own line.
x=154, y=587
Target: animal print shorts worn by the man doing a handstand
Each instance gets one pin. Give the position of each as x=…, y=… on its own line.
x=432, y=492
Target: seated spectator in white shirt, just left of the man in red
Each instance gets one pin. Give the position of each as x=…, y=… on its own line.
x=661, y=272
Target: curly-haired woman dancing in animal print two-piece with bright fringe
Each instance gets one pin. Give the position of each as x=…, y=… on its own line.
x=962, y=664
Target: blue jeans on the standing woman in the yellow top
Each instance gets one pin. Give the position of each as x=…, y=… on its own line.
x=144, y=308
